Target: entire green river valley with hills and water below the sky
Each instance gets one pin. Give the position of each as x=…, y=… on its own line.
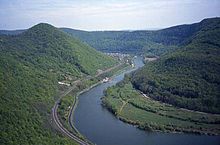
x=52, y=89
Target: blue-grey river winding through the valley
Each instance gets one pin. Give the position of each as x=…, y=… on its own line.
x=101, y=127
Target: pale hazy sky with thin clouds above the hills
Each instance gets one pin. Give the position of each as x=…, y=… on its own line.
x=105, y=14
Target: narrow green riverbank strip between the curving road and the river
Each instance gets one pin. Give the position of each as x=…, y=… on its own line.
x=68, y=103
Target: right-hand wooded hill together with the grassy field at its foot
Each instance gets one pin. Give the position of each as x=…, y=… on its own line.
x=169, y=94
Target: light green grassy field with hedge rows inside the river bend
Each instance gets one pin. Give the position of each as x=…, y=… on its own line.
x=133, y=107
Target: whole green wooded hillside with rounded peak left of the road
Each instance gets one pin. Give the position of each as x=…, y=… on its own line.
x=31, y=64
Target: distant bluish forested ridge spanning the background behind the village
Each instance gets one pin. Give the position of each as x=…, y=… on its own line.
x=140, y=42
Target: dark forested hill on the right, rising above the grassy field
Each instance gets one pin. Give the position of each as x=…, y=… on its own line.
x=188, y=77
